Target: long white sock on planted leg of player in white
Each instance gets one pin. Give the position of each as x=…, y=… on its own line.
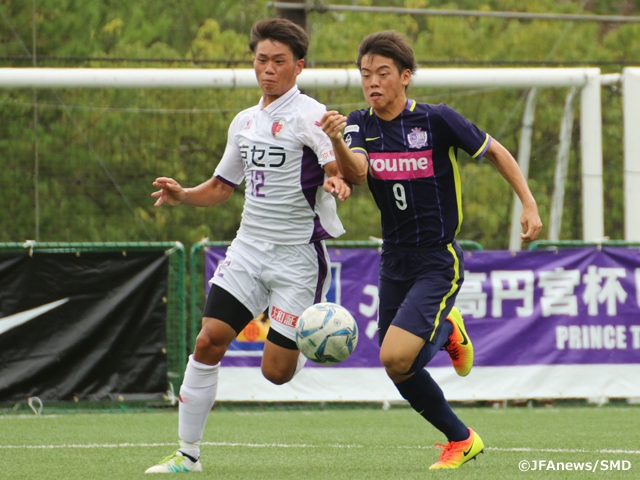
x=197, y=396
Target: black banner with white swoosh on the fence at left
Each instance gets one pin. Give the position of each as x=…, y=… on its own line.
x=82, y=325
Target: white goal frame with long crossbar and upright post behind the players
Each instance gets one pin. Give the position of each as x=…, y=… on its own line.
x=588, y=80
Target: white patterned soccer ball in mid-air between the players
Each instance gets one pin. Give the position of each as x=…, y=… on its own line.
x=326, y=333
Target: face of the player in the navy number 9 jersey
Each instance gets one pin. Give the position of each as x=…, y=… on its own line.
x=383, y=85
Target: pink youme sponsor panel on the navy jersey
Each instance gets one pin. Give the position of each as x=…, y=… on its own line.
x=401, y=165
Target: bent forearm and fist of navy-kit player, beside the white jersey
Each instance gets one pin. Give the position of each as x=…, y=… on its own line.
x=353, y=166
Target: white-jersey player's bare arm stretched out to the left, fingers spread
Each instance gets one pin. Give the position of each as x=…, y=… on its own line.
x=211, y=192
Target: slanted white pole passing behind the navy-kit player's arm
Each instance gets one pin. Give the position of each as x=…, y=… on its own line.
x=524, y=154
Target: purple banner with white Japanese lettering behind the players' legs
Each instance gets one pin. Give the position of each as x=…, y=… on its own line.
x=570, y=306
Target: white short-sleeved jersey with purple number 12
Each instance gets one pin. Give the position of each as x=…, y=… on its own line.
x=280, y=151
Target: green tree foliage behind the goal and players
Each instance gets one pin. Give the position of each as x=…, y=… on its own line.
x=99, y=153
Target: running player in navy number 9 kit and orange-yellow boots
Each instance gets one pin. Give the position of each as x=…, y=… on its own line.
x=407, y=151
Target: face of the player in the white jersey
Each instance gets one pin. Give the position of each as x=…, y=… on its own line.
x=276, y=69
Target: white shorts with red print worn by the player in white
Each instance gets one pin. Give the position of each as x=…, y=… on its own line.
x=286, y=278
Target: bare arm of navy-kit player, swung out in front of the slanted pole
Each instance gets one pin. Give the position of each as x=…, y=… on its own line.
x=509, y=169
